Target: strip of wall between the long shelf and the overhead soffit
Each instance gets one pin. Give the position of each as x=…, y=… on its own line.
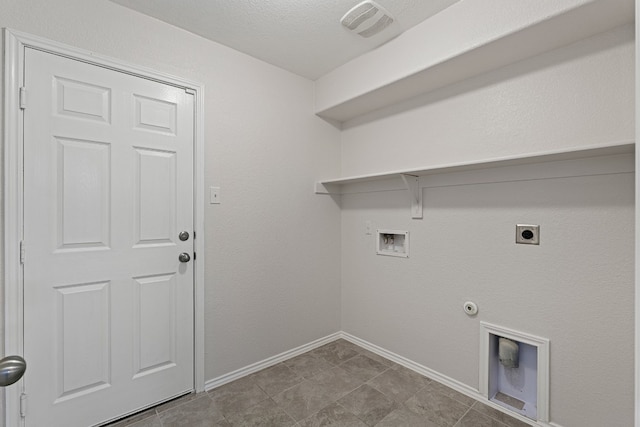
x=570, y=97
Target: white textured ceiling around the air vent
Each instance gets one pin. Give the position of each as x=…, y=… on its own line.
x=302, y=36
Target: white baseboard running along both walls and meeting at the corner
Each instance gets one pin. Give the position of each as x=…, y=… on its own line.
x=407, y=363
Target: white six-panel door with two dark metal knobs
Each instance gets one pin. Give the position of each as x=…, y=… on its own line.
x=108, y=186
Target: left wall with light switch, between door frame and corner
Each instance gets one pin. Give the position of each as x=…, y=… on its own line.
x=273, y=248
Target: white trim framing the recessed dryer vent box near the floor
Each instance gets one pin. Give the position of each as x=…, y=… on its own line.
x=542, y=344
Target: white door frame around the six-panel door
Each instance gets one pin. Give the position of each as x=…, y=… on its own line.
x=15, y=43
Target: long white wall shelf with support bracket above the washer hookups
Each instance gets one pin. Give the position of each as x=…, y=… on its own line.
x=412, y=182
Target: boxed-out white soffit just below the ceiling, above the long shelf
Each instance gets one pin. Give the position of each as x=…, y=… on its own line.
x=410, y=65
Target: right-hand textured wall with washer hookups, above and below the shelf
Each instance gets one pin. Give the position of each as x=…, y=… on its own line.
x=576, y=288
